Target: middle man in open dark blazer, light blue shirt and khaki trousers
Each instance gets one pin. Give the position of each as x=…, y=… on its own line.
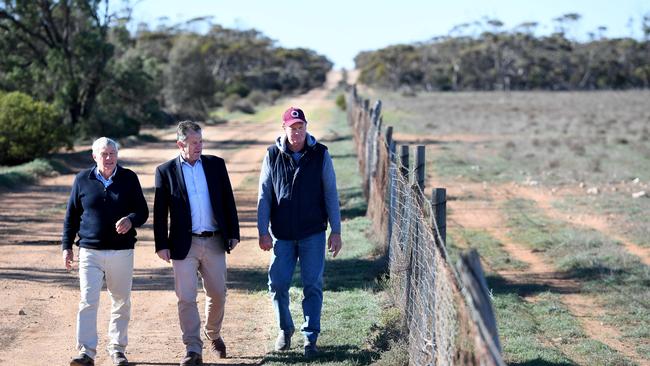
x=193, y=191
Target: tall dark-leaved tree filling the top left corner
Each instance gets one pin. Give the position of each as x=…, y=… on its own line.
x=56, y=51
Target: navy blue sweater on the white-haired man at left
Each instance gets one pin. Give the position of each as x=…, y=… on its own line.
x=93, y=211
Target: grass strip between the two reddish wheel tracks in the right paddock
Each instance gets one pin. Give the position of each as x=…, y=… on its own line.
x=615, y=278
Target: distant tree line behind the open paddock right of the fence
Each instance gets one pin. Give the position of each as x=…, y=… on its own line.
x=493, y=58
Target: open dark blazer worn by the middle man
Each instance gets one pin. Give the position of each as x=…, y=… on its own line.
x=170, y=201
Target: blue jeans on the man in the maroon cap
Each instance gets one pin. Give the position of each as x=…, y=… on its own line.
x=311, y=253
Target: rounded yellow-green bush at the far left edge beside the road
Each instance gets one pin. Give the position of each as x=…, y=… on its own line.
x=28, y=128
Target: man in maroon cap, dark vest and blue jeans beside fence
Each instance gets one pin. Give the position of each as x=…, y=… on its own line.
x=297, y=197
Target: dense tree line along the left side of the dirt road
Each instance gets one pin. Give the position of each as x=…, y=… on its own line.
x=77, y=62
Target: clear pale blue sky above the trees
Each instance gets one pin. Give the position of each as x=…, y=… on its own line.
x=340, y=29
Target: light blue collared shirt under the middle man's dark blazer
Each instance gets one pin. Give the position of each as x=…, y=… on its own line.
x=199, y=197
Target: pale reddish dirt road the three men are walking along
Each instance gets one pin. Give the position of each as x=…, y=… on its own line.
x=39, y=298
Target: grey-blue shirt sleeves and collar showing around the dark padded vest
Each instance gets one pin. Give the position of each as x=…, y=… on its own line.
x=265, y=192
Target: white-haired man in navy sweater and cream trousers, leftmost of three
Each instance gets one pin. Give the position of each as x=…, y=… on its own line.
x=105, y=206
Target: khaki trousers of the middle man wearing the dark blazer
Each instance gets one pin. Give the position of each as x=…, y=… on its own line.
x=206, y=257
